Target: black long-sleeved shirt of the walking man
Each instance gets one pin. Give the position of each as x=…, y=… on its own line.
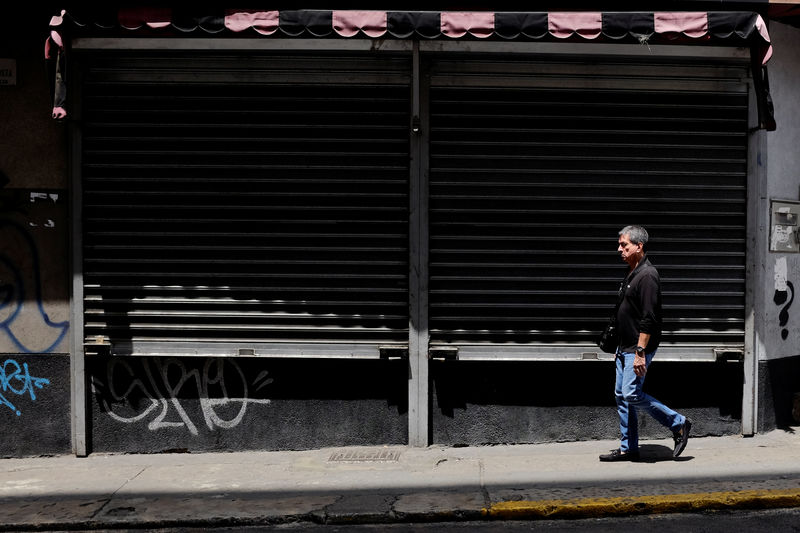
x=640, y=310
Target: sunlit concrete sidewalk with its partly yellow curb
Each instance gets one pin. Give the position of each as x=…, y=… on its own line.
x=396, y=484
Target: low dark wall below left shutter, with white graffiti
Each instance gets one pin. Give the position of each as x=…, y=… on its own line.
x=145, y=404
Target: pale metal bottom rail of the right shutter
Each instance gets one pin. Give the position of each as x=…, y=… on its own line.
x=582, y=352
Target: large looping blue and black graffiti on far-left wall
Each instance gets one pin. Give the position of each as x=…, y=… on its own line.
x=24, y=321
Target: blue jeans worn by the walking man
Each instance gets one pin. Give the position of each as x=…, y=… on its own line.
x=630, y=398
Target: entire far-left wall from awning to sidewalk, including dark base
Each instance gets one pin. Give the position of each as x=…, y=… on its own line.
x=34, y=273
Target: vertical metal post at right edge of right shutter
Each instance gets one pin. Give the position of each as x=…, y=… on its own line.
x=754, y=281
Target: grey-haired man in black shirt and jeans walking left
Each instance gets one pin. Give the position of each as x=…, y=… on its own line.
x=639, y=325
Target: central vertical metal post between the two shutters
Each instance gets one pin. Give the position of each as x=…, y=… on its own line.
x=418, y=385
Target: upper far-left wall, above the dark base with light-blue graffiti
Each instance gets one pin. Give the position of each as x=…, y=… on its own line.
x=34, y=273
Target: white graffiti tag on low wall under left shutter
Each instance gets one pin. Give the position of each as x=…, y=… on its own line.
x=167, y=396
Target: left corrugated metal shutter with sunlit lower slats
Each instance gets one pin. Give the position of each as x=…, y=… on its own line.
x=245, y=204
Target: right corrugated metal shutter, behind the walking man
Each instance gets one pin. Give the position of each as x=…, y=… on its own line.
x=536, y=165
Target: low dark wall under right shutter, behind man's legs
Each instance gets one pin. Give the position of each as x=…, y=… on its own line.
x=530, y=402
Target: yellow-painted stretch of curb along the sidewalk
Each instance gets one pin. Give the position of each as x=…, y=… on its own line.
x=670, y=503
